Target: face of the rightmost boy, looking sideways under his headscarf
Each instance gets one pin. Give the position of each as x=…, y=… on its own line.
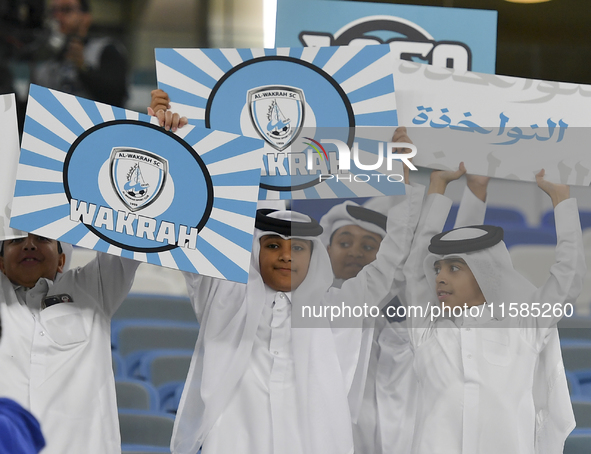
x=455, y=284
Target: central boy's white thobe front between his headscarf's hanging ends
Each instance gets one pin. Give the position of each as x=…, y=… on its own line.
x=262, y=413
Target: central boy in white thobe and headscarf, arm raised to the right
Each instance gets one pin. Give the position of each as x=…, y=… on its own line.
x=257, y=385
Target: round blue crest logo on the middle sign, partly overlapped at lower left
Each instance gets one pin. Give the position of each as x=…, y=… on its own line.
x=285, y=101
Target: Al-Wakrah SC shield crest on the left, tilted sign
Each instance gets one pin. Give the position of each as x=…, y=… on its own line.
x=138, y=176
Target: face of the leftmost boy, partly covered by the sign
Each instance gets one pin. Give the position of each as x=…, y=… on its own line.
x=26, y=260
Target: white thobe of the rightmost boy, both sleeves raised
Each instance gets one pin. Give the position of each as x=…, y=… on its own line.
x=477, y=375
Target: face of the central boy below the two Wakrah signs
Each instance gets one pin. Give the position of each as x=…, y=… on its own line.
x=284, y=263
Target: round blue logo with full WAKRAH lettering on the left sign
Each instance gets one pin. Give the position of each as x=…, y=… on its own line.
x=137, y=186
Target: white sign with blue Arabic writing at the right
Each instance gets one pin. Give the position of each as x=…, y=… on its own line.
x=500, y=126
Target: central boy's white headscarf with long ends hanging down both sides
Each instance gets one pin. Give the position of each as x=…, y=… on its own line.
x=225, y=344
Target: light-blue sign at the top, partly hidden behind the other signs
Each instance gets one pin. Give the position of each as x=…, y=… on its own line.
x=449, y=37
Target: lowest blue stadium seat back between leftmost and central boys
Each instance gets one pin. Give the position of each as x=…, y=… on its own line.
x=145, y=428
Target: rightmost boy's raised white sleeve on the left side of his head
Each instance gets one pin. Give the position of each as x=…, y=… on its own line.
x=418, y=291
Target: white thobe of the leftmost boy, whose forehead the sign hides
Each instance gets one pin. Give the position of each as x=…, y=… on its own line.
x=56, y=362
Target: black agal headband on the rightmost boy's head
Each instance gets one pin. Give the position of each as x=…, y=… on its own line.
x=491, y=235
